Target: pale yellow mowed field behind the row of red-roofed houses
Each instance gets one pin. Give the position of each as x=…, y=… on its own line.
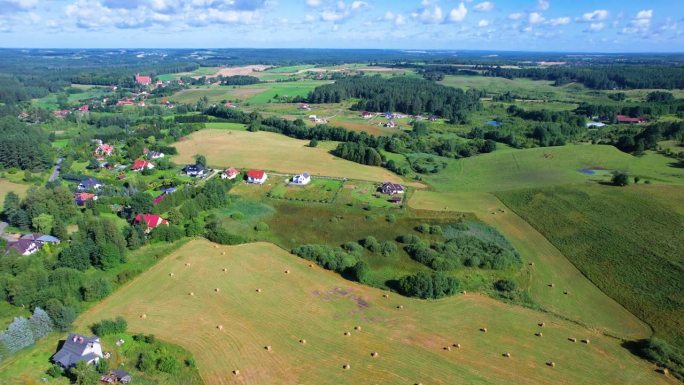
x=270, y=151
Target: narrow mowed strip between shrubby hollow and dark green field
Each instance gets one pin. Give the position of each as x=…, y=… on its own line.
x=584, y=303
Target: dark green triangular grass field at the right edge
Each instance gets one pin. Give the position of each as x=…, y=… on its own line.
x=628, y=241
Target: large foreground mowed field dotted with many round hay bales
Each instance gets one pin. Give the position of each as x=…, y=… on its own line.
x=319, y=307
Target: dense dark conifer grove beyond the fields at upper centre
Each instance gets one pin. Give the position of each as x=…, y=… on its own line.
x=403, y=94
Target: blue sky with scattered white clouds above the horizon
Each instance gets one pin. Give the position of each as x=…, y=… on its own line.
x=530, y=25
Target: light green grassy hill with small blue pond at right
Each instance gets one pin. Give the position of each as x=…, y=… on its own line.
x=509, y=169
